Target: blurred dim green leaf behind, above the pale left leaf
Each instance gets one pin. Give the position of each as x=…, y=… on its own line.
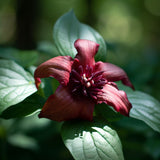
x=24, y=58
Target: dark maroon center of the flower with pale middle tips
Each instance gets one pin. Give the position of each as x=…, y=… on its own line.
x=86, y=82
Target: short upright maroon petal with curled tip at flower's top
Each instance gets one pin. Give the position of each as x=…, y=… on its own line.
x=86, y=51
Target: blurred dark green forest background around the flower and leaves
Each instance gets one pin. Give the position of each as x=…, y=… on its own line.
x=131, y=29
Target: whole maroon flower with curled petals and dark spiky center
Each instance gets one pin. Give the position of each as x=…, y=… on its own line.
x=83, y=83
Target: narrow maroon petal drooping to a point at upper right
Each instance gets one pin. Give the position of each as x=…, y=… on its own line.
x=113, y=73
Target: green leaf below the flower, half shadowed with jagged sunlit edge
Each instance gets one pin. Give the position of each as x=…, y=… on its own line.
x=89, y=140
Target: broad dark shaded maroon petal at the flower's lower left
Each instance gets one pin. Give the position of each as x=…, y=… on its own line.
x=62, y=106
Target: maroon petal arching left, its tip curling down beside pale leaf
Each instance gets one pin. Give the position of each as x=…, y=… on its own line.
x=58, y=67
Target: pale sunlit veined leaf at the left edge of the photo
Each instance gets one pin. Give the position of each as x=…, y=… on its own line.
x=15, y=84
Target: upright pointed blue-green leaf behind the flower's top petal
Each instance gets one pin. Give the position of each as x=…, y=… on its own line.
x=68, y=29
